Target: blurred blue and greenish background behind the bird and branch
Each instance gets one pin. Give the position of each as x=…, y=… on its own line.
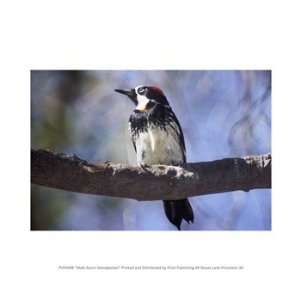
x=222, y=113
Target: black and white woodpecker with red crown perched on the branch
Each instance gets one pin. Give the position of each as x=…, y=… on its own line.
x=157, y=138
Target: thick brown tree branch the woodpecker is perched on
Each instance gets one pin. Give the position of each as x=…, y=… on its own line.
x=156, y=182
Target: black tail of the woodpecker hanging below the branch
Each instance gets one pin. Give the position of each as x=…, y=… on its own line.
x=176, y=210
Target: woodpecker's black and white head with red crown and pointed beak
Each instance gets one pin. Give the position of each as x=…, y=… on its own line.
x=145, y=97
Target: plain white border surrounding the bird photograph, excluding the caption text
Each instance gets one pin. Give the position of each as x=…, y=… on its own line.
x=148, y=35
